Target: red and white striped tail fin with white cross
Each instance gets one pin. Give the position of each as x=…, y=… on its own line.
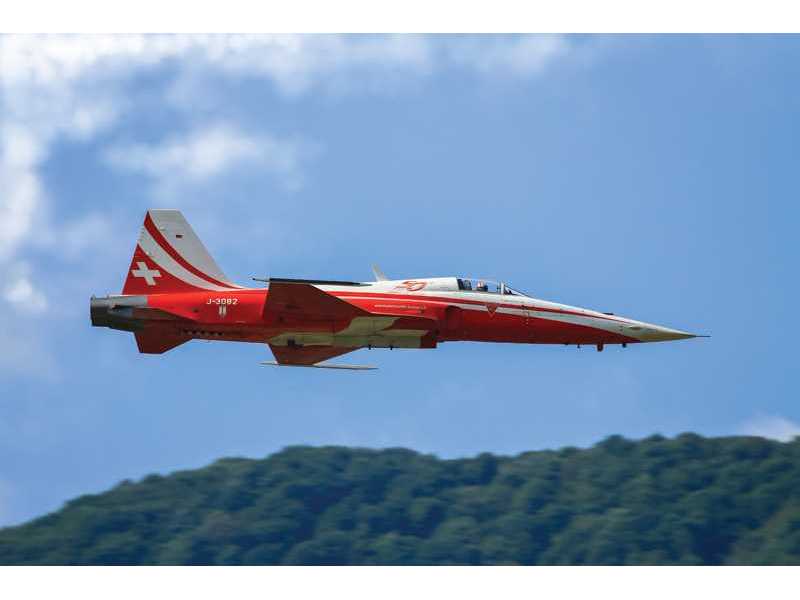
x=169, y=257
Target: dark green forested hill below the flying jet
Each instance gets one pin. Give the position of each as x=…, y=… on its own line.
x=688, y=500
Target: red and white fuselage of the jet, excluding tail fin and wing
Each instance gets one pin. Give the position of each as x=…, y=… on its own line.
x=240, y=315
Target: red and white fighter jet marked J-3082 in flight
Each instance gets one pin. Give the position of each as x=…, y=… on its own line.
x=175, y=292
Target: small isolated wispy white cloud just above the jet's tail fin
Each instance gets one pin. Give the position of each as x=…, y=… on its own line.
x=209, y=151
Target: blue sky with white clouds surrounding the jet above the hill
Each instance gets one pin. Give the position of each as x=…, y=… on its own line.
x=655, y=177
